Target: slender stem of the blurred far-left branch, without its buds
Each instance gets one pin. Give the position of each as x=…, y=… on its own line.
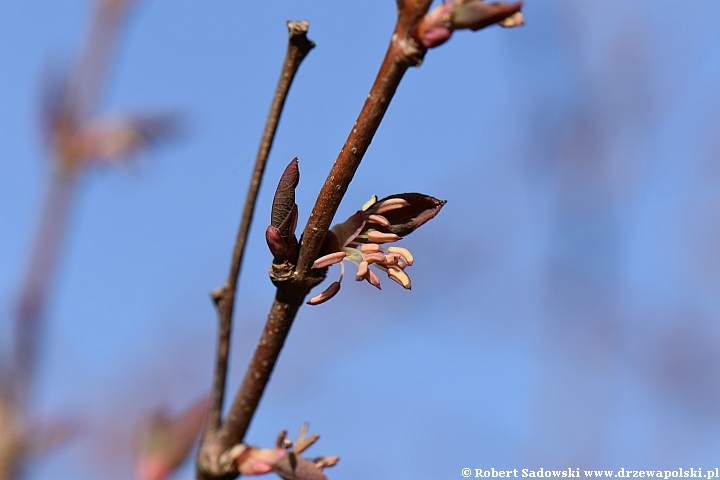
x=67, y=110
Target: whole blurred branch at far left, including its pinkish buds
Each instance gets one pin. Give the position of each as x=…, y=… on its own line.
x=77, y=138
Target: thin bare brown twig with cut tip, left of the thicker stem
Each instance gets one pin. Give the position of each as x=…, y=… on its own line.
x=298, y=47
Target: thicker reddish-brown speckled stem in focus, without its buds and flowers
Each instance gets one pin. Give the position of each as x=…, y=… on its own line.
x=402, y=53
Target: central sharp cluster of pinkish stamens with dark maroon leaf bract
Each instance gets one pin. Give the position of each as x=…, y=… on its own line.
x=358, y=240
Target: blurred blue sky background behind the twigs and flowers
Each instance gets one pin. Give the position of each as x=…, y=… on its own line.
x=566, y=302
